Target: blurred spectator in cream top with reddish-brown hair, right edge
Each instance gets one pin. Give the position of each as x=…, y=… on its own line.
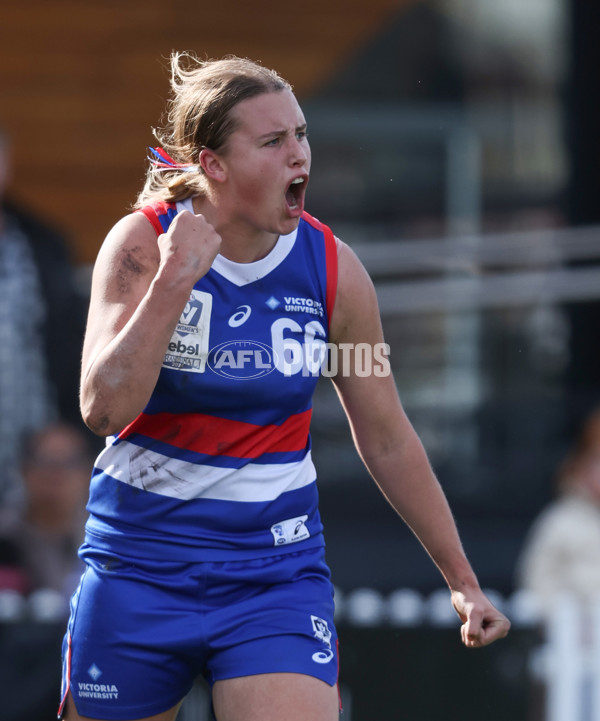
x=562, y=550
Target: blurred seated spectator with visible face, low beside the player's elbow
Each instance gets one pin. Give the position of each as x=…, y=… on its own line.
x=39, y=540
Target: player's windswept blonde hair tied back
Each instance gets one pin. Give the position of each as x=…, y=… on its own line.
x=199, y=115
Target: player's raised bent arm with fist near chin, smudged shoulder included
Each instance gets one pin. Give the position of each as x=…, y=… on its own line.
x=140, y=287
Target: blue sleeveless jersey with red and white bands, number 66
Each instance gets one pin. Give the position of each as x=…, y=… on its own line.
x=218, y=465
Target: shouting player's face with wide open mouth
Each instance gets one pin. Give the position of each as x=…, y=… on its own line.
x=268, y=162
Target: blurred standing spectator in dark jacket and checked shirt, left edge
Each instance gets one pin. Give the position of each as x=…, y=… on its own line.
x=42, y=318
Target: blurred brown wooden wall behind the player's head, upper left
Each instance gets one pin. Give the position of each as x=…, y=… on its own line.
x=82, y=82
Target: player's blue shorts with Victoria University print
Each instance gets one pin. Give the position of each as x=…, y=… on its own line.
x=140, y=632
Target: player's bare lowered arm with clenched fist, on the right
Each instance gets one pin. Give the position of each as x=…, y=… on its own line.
x=393, y=453
